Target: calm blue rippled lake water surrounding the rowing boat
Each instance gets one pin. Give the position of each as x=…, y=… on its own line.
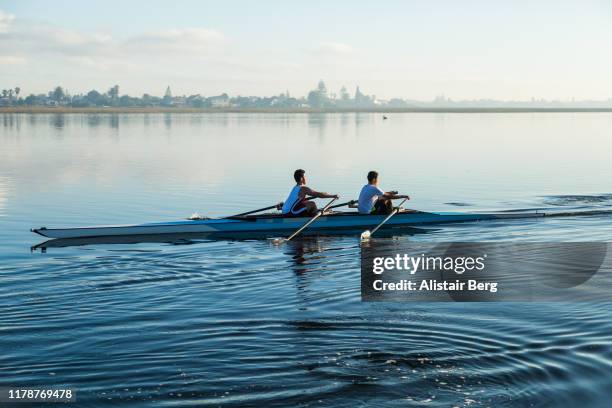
x=241, y=323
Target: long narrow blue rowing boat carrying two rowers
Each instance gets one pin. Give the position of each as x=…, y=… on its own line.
x=276, y=223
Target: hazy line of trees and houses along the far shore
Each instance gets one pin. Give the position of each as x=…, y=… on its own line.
x=318, y=98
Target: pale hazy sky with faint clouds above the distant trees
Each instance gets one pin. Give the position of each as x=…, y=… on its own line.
x=408, y=49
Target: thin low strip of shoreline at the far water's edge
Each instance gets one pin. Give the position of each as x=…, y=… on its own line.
x=116, y=110
